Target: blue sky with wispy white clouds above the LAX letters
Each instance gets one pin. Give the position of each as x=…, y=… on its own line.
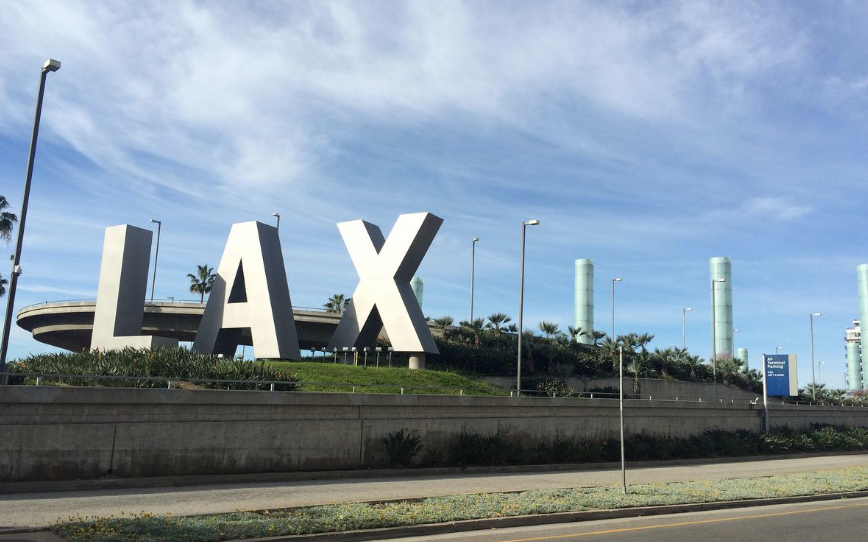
x=647, y=136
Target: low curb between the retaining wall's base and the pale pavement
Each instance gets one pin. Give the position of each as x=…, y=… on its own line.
x=305, y=476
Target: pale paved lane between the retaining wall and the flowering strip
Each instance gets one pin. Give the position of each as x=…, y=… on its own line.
x=43, y=509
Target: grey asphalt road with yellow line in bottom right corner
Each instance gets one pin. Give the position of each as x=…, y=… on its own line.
x=837, y=520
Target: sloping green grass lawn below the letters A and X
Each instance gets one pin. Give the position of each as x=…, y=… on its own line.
x=381, y=379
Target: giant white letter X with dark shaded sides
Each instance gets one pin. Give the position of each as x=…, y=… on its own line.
x=384, y=298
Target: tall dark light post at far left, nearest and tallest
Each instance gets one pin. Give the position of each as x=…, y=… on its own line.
x=50, y=65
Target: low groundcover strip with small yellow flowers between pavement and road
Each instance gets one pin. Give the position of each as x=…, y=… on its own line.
x=354, y=516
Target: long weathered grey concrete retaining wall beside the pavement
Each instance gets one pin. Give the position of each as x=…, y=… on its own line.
x=61, y=433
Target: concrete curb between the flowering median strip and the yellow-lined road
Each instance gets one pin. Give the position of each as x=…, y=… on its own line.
x=546, y=519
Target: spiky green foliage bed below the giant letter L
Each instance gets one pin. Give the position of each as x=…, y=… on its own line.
x=162, y=364
